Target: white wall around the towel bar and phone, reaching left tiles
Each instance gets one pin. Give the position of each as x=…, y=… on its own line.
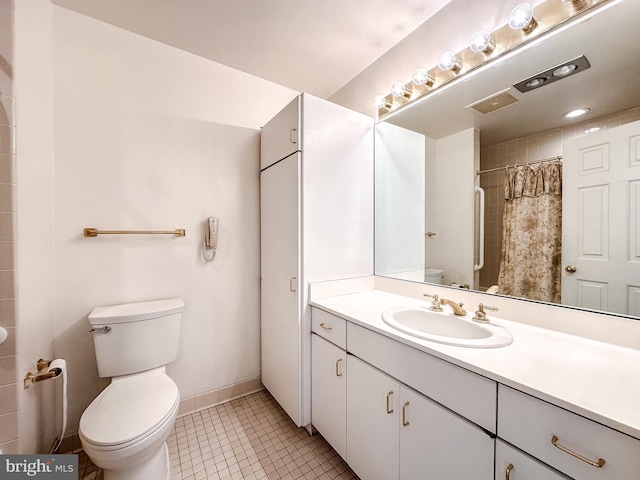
x=145, y=136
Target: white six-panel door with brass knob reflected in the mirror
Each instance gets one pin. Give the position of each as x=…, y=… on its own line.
x=601, y=220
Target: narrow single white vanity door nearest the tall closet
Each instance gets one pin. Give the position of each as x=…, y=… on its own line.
x=329, y=392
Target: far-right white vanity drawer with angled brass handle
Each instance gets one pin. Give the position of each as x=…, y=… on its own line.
x=532, y=424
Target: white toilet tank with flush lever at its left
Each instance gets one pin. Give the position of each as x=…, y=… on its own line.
x=139, y=336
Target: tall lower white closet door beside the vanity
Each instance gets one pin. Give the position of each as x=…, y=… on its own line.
x=280, y=331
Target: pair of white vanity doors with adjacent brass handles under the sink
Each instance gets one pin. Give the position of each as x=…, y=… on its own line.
x=393, y=432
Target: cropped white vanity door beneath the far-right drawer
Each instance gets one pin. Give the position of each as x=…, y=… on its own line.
x=513, y=464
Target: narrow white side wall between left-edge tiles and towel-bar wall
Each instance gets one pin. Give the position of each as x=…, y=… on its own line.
x=35, y=220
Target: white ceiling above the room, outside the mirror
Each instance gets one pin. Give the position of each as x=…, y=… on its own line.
x=311, y=46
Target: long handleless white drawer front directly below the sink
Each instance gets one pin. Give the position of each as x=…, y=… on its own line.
x=469, y=395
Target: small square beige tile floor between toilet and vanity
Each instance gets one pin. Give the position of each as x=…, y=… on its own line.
x=249, y=438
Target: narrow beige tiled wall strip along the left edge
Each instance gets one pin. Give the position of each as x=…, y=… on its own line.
x=8, y=386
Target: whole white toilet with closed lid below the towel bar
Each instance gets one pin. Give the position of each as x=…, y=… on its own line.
x=124, y=430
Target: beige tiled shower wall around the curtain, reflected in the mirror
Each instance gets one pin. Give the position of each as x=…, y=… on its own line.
x=526, y=149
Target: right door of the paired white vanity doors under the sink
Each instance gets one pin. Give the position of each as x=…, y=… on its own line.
x=436, y=443
